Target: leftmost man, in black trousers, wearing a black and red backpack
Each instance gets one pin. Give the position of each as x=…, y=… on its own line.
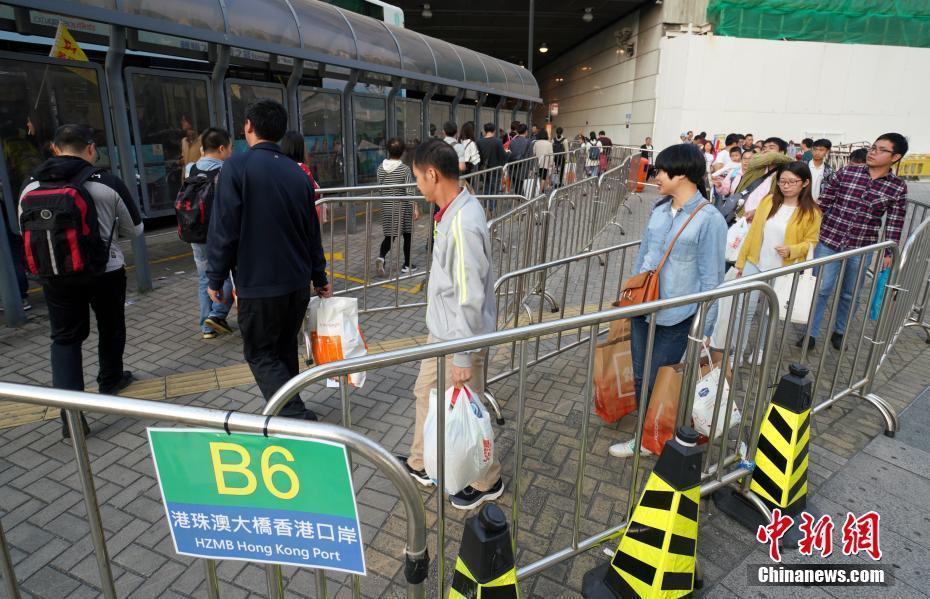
x=72, y=214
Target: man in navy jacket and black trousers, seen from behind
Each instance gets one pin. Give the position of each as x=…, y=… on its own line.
x=264, y=229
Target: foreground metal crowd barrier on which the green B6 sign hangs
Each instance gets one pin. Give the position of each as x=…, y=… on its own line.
x=139, y=409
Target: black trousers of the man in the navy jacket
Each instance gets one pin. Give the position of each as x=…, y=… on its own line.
x=270, y=326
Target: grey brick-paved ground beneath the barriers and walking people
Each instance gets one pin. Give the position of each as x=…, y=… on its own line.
x=42, y=510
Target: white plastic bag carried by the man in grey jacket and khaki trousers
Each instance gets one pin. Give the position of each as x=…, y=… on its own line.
x=469, y=439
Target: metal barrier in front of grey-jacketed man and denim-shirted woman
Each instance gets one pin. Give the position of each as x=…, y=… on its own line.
x=728, y=465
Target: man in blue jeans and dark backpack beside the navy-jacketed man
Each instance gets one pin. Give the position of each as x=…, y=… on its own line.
x=193, y=208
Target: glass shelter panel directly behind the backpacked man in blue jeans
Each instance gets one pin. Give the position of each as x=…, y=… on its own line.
x=170, y=114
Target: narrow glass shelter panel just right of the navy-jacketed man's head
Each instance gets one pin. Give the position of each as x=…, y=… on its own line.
x=321, y=125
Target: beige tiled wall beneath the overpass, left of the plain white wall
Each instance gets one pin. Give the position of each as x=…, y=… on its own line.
x=601, y=85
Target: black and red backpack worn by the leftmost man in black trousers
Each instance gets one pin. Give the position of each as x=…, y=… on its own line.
x=61, y=233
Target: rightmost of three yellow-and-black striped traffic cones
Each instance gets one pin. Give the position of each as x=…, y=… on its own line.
x=780, y=474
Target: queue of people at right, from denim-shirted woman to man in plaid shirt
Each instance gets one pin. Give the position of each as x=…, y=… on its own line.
x=797, y=208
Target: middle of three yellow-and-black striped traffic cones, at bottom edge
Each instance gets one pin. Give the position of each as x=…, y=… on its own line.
x=657, y=553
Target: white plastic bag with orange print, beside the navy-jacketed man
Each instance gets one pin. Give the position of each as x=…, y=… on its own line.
x=335, y=334
